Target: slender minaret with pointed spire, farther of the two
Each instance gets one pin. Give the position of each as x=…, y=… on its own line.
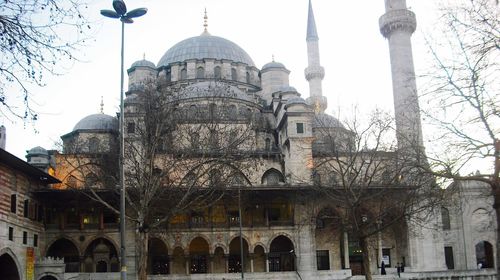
x=314, y=72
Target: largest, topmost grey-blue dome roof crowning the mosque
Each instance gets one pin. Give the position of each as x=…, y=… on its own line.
x=205, y=46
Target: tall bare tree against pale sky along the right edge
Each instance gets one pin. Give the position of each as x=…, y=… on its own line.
x=461, y=94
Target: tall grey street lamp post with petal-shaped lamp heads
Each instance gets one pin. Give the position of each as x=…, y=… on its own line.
x=120, y=12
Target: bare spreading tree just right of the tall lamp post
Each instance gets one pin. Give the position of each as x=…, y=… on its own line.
x=181, y=155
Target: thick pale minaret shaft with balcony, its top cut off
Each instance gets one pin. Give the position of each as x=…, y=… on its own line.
x=397, y=25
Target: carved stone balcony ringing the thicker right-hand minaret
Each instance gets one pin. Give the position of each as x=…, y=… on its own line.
x=397, y=20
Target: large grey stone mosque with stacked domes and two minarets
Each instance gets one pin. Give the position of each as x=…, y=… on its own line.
x=48, y=231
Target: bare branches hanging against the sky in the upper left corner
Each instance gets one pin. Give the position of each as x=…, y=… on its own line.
x=36, y=37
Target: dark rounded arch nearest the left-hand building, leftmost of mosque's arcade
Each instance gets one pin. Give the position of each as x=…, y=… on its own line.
x=66, y=249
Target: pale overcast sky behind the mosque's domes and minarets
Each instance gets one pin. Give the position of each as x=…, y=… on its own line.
x=353, y=52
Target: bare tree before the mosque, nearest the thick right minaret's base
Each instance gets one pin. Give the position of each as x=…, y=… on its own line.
x=373, y=186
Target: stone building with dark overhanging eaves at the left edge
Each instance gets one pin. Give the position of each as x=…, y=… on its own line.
x=22, y=229
